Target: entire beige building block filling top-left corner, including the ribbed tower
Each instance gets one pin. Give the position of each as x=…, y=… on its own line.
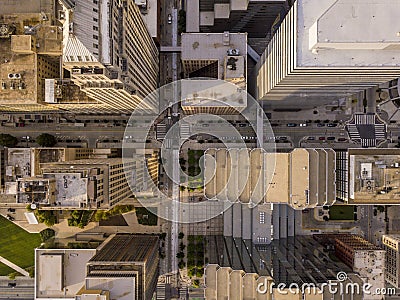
x=76, y=56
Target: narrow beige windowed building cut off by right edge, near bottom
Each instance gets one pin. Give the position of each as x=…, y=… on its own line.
x=391, y=244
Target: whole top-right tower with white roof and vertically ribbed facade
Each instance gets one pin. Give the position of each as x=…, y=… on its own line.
x=326, y=49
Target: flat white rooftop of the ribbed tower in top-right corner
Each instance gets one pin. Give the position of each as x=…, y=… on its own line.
x=347, y=33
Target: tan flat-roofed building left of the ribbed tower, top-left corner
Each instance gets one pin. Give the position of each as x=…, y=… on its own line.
x=31, y=44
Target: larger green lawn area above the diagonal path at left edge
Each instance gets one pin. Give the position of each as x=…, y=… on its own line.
x=16, y=244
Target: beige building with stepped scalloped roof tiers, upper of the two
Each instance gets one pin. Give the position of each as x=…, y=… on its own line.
x=302, y=178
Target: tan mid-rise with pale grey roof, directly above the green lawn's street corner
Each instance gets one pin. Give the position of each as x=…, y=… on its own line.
x=85, y=183
